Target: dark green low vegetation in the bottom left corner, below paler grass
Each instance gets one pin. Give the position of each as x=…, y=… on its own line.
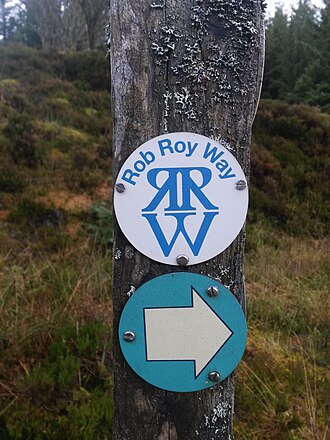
x=68, y=395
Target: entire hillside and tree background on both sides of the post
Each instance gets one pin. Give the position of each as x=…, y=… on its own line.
x=56, y=235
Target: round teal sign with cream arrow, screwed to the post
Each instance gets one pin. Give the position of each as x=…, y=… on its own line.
x=182, y=332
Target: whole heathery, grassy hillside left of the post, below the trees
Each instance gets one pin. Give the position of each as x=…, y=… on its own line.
x=54, y=284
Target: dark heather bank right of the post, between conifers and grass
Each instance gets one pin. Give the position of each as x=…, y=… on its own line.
x=289, y=168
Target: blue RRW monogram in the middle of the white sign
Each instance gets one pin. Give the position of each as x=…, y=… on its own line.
x=179, y=186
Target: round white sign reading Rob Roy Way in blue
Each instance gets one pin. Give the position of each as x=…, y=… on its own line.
x=181, y=194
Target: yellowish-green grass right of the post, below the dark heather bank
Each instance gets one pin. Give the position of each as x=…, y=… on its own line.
x=283, y=380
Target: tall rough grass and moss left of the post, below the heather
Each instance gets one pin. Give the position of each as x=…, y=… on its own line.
x=56, y=314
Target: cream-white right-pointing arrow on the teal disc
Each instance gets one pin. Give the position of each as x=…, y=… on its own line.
x=193, y=333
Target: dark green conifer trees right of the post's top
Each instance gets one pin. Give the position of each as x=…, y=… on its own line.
x=297, y=67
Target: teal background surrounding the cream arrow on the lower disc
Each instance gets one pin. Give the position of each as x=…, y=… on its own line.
x=174, y=290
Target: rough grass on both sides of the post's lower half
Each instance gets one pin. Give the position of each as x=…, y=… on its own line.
x=55, y=340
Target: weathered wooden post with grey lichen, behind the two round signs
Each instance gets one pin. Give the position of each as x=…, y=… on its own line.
x=179, y=65
